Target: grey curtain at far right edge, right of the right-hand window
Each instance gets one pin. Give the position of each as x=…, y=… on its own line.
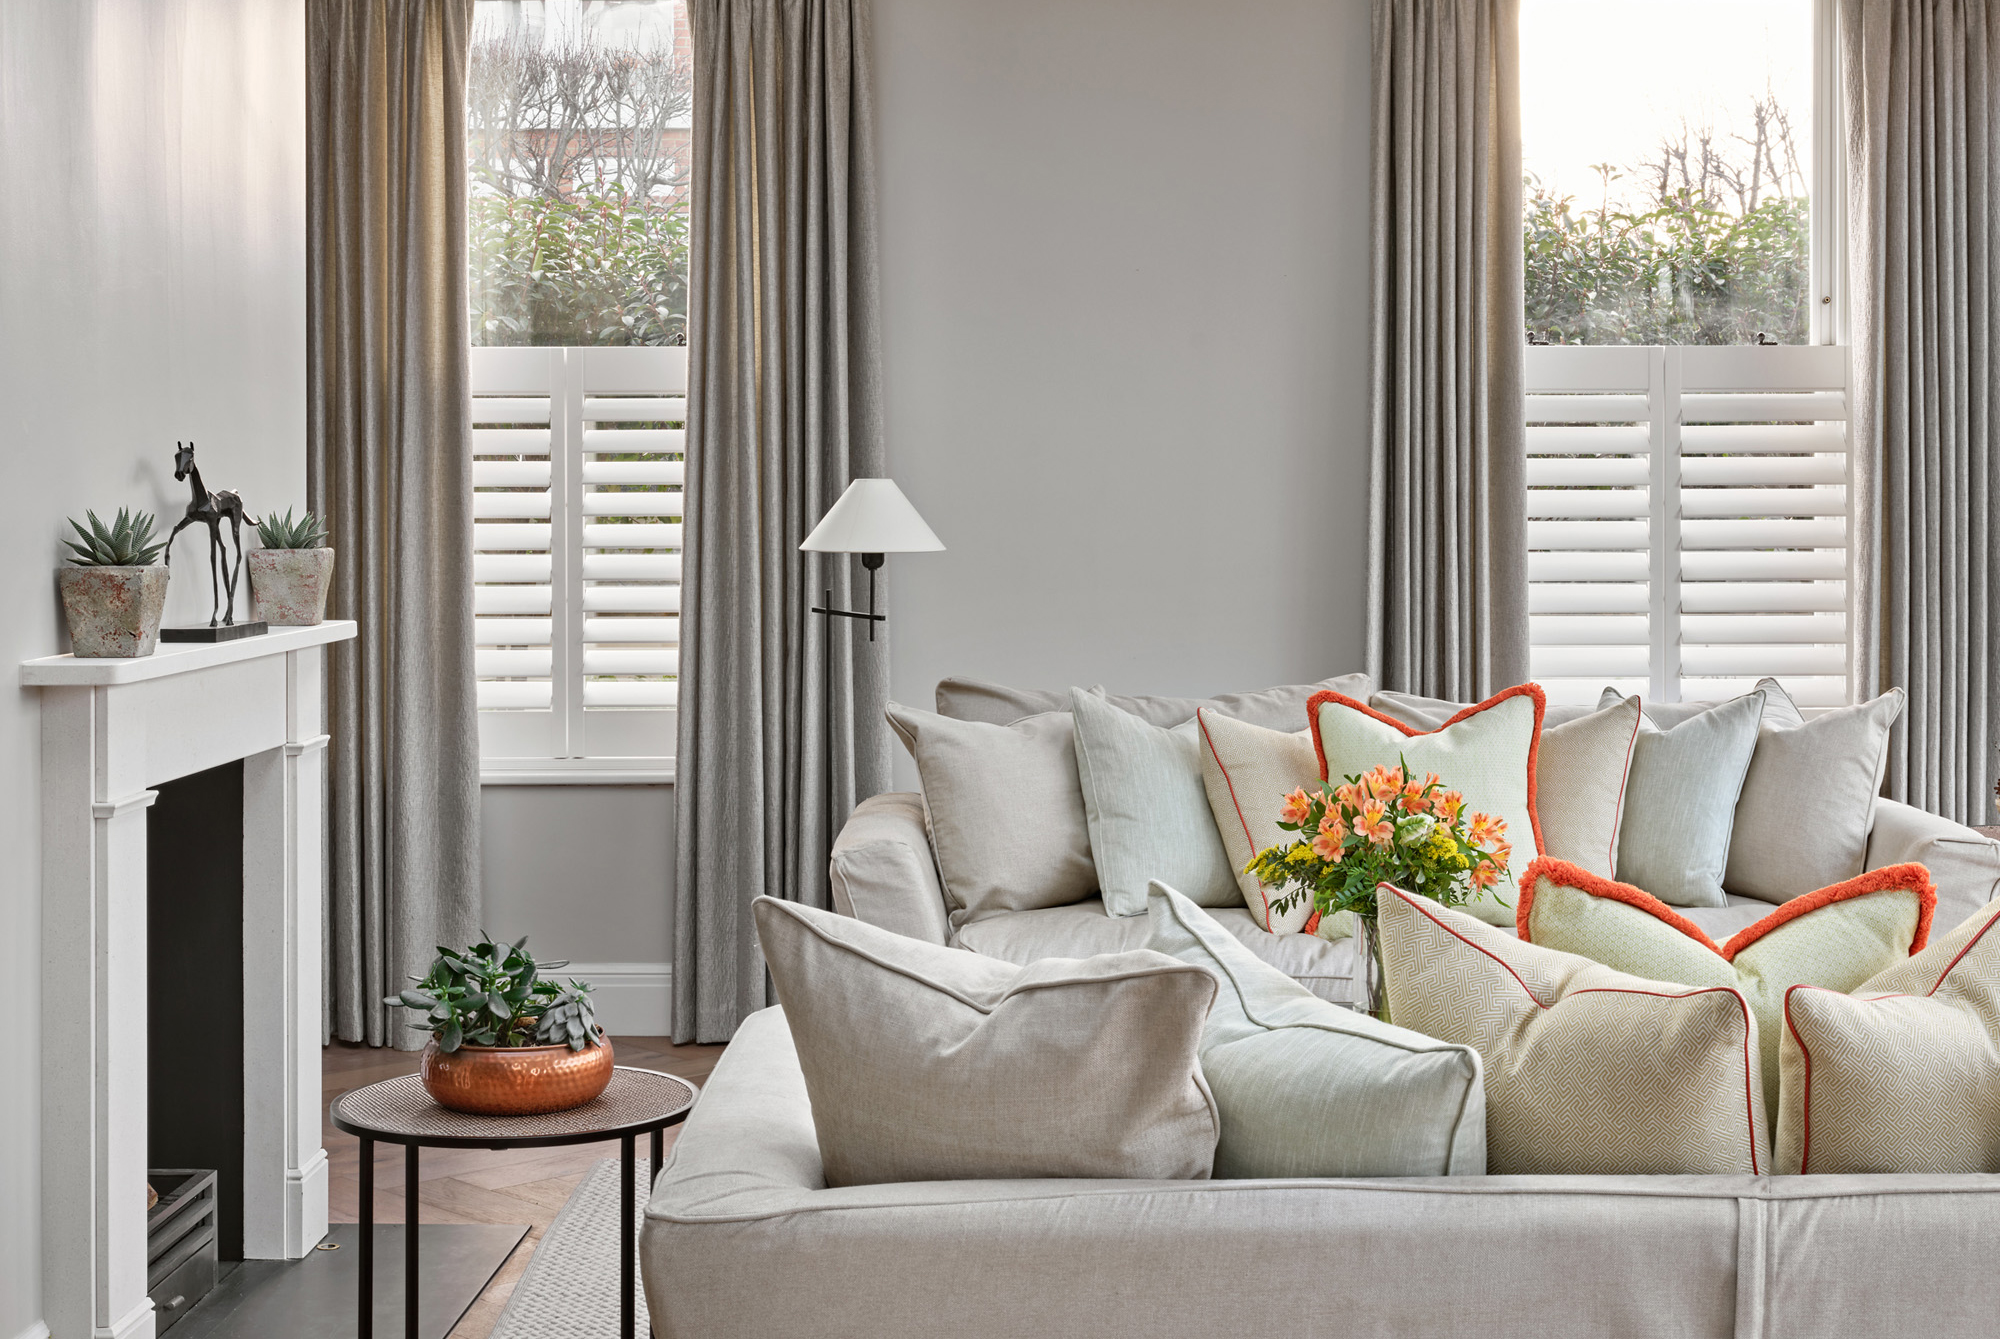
x=1925, y=255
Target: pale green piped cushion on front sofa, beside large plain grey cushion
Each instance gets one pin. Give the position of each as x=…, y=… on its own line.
x=1311, y=1090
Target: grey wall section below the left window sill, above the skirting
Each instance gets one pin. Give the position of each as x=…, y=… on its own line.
x=587, y=872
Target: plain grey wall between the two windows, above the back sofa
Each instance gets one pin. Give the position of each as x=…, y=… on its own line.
x=1125, y=275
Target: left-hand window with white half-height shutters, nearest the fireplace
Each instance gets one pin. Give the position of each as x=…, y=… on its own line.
x=579, y=219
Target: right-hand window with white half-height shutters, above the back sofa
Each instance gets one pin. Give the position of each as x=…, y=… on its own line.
x=1687, y=395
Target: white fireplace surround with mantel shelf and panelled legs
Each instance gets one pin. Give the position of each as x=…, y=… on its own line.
x=111, y=732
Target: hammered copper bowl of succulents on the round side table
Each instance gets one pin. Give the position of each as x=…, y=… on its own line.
x=503, y=1038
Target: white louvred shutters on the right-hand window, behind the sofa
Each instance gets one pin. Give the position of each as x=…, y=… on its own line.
x=1687, y=521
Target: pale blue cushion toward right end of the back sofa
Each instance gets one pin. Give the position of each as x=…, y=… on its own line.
x=1681, y=802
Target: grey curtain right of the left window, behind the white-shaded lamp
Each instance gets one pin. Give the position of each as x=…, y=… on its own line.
x=781, y=734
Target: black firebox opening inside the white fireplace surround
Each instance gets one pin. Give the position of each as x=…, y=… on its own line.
x=195, y=986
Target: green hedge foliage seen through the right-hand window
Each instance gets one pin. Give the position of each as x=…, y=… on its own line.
x=1685, y=273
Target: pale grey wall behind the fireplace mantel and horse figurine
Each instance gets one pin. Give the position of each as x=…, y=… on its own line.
x=153, y=229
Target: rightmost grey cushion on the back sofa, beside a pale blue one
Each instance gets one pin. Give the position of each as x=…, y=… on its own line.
x=1809, y=796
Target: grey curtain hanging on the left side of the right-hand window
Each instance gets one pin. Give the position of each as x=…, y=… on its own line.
x=1449, y=531
